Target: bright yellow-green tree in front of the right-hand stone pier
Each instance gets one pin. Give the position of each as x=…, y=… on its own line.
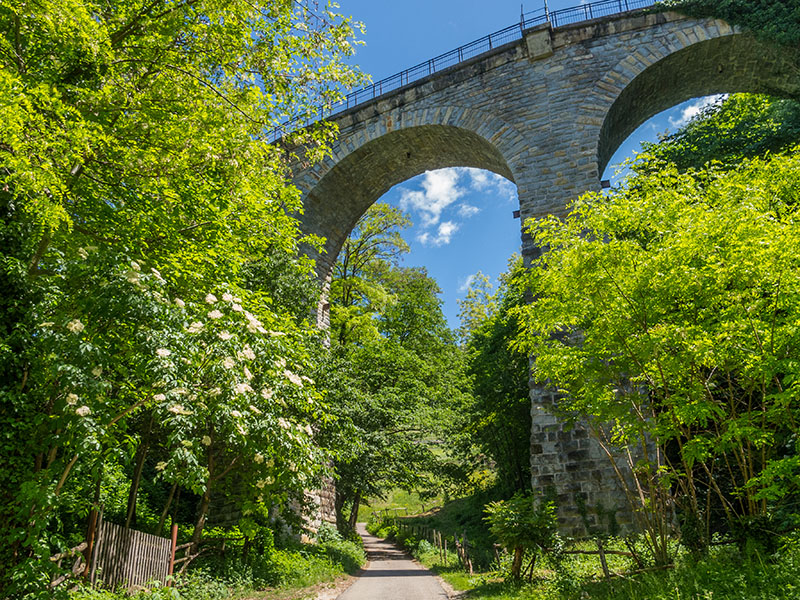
x=666, y=312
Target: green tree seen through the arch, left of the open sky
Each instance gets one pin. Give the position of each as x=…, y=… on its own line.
x=395, y=373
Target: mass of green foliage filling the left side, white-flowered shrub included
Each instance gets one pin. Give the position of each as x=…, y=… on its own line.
x=137, y=178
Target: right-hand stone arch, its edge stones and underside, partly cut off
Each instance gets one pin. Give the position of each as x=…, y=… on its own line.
x=711, y=58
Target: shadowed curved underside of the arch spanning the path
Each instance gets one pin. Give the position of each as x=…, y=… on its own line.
x=335, y=204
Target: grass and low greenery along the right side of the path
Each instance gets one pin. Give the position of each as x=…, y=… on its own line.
x=725, y=574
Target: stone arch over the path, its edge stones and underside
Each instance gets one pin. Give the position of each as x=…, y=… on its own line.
x=340, y=189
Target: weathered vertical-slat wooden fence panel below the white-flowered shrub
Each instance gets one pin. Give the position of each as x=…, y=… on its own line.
x=129, y=558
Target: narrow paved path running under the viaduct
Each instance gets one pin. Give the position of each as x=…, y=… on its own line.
x=391, y=575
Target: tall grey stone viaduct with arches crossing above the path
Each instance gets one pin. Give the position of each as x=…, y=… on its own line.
x=547, y=112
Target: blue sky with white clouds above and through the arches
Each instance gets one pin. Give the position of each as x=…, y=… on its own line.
x=462, y=217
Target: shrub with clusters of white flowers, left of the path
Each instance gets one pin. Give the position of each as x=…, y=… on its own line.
x=222, y=380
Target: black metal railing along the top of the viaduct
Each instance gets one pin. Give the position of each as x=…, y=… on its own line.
x=513, y=33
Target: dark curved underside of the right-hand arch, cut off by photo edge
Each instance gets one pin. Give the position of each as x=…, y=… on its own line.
x=730, y=64
